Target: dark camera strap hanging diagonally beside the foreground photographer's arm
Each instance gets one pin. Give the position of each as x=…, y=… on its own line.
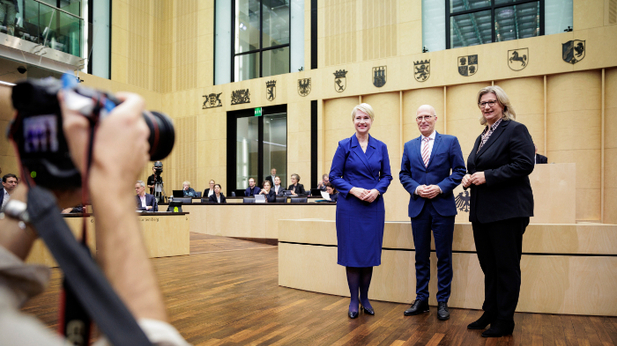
x=82, y=274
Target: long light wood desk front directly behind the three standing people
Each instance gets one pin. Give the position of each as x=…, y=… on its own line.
x=566, y=269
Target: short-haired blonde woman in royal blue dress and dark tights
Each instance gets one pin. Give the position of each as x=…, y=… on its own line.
x=361, y=173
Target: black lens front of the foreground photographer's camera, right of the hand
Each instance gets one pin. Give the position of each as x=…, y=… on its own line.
x=162, y=135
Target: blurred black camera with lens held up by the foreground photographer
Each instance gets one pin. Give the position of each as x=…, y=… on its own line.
x=37, y=128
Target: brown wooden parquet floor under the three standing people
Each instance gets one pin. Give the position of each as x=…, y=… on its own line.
x=226, y=293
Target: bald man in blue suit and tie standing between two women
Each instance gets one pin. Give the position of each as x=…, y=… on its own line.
x=431, y=168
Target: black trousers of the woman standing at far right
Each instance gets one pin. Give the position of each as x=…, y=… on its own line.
x=499, y=246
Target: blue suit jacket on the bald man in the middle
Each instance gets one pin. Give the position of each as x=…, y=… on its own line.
x=445, y=169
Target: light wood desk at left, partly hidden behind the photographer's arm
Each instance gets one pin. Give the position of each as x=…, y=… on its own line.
x=165, y=234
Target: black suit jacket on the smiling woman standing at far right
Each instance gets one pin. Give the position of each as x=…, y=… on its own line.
x=506, y=159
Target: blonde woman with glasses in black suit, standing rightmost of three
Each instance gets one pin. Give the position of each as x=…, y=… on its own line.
x=501, y=204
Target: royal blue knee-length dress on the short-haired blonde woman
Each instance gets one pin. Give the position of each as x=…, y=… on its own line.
x=359, y=224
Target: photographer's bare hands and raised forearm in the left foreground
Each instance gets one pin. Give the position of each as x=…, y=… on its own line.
x=119, y=154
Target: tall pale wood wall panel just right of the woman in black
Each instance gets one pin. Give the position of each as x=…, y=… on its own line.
x=574, y=133
